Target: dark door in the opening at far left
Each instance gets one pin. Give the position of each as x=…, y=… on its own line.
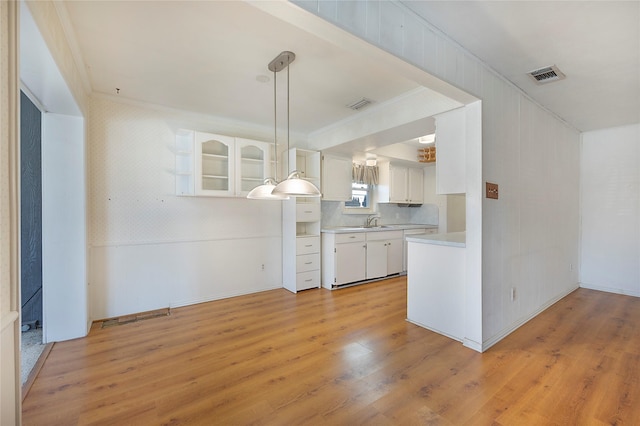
x=31, y=210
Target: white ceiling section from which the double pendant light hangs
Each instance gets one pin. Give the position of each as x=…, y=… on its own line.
x=207, y=57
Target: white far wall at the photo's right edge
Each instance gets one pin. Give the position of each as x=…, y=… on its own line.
x=610, y=209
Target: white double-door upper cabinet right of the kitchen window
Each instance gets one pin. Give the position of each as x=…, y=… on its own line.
x=400, y=184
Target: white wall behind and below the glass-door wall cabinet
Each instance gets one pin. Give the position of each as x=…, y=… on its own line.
x=151, y=249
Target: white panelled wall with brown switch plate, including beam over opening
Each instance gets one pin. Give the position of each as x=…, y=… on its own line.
x=529, y=237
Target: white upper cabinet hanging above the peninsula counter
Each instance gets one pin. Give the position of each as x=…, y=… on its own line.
x=451, y=148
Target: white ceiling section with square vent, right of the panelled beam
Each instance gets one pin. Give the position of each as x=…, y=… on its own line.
x=595, y=43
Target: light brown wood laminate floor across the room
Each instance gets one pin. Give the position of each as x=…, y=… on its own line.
x=345, y=357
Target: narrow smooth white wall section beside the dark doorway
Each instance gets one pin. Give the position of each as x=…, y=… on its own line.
x=64, y=245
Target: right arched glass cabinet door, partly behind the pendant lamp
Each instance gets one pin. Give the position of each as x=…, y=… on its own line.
x=252, y=164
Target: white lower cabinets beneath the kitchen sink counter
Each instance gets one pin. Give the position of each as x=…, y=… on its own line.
x=353, y=257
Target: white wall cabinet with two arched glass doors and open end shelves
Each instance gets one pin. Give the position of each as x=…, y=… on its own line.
x=219, y=165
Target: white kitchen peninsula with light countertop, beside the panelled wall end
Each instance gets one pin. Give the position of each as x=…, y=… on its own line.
x=436, y=282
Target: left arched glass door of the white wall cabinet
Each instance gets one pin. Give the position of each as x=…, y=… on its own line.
x=214, y=168
